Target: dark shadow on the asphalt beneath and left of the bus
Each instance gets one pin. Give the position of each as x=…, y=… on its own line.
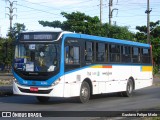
x=59, y=100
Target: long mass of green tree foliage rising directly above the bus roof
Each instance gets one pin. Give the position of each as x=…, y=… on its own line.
x=80, y=23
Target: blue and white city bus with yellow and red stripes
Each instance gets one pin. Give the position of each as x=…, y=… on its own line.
x=65, y=64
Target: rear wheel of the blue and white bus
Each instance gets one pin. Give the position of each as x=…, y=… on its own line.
x=129, y=89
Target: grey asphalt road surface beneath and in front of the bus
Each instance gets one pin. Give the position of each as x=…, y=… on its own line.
x=147, y=98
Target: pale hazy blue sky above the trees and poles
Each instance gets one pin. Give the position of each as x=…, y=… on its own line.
x=130, y=13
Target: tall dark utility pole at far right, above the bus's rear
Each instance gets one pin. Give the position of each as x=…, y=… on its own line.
x=148, y=22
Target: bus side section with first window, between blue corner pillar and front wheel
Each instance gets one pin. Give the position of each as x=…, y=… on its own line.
x=72, y=62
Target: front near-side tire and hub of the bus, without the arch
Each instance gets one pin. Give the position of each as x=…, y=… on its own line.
x=84, y=92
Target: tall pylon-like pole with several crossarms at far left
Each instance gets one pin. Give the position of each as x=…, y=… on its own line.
x=10, y=14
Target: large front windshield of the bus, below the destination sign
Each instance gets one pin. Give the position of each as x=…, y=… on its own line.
x=36, y=57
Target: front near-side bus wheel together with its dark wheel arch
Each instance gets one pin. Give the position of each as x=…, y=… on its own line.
x=85, y=91
